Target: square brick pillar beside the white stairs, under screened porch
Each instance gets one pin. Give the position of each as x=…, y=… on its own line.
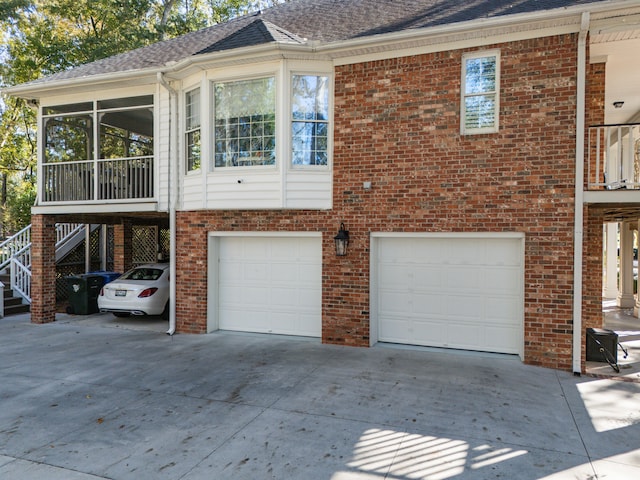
x=43, y=268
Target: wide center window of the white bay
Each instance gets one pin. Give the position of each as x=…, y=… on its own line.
x=245, y=123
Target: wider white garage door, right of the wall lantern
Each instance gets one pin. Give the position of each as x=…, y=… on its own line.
x=453, y=292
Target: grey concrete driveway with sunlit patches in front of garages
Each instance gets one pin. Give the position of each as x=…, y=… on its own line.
x=82, y=400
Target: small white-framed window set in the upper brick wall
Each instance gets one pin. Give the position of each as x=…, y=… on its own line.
x=480, y=92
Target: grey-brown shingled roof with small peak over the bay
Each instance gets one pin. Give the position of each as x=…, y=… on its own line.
x=317, y=21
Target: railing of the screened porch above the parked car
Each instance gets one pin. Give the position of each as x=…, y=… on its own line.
x=98, y=180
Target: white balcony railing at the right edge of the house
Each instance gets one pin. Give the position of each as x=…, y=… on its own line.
x=613, y=157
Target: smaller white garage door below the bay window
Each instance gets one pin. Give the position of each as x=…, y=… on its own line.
x=270, y=285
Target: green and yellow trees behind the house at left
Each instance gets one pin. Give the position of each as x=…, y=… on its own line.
x=42, y=37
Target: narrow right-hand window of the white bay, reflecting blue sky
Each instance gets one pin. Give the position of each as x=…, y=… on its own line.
x=309, y=120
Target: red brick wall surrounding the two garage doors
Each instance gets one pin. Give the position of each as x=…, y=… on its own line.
x=397, y=124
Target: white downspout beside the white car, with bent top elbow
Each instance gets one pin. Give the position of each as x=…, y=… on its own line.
x=172, y=212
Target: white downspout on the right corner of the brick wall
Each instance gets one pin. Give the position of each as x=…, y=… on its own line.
x=579, y=195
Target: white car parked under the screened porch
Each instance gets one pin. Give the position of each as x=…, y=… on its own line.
x=143, y=290
